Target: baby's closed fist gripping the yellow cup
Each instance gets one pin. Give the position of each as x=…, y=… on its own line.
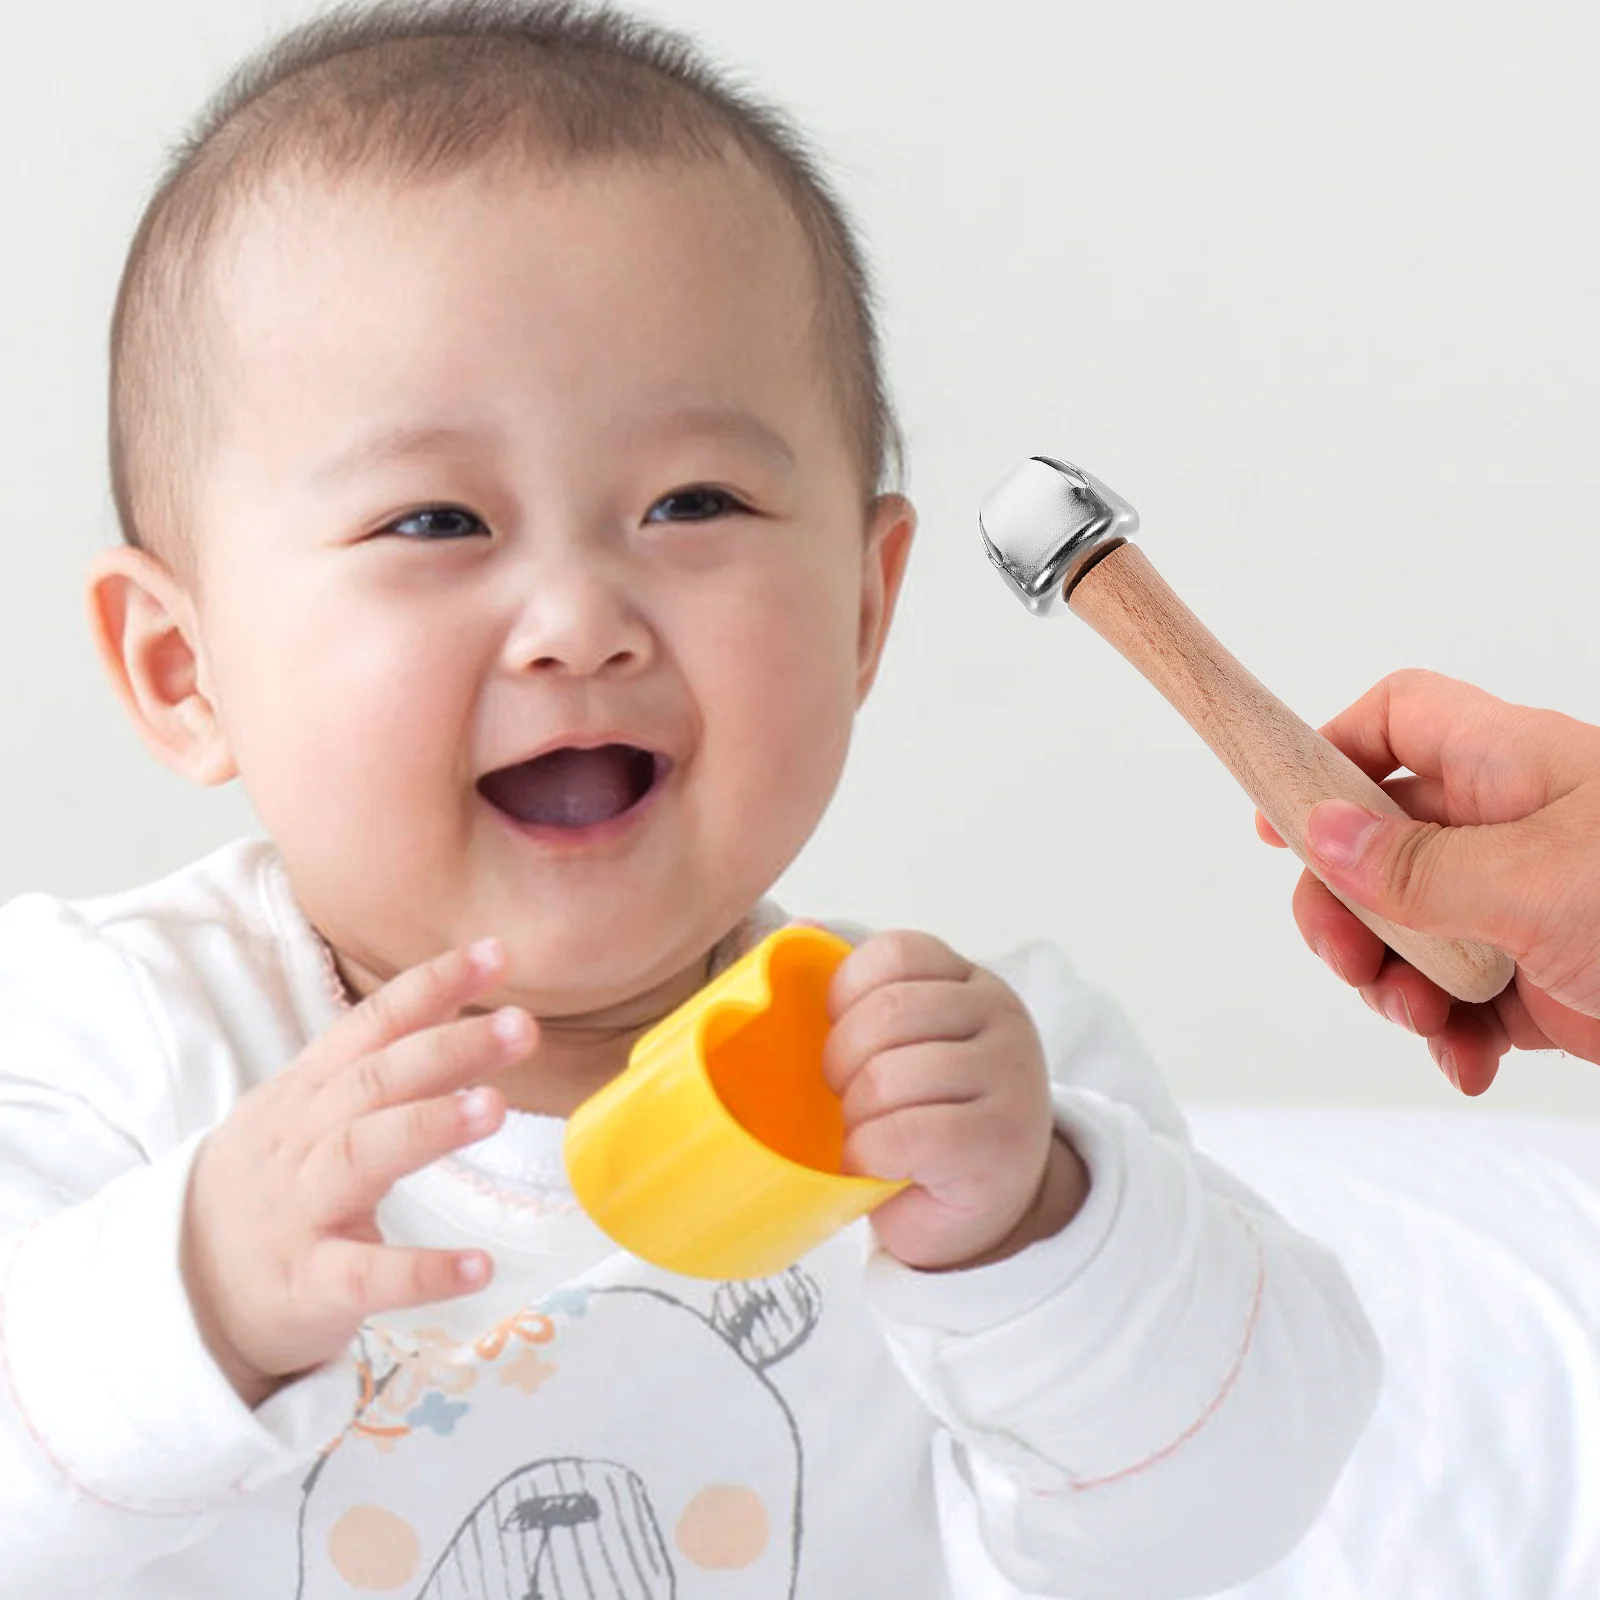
x=943, y=1082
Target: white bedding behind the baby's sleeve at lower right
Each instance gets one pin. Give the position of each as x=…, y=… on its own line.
x=1474, y=1242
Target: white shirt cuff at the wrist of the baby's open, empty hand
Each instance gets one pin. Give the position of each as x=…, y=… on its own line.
x=111, y=1375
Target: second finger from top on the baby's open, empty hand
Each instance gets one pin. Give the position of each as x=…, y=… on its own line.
x=425, y=1065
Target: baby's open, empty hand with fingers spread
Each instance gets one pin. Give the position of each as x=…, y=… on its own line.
x=282, y=1254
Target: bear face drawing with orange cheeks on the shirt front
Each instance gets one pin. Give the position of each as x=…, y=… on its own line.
x=609, y=1444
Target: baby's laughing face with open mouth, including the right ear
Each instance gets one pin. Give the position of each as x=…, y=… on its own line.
x=537, y=580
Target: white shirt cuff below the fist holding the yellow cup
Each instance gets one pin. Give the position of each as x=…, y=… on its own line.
x=1095, y=1354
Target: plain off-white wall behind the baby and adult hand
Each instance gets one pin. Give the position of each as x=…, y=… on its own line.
x=1314, y=287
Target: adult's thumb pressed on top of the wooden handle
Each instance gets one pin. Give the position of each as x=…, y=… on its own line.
x=1460, y=882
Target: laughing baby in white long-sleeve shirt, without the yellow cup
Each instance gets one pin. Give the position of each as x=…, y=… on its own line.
x=498, y=436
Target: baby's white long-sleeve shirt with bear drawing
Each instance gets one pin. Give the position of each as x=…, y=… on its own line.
x=1153, y=1404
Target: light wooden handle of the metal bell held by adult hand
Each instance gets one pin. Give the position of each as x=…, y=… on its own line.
x=1282, y=764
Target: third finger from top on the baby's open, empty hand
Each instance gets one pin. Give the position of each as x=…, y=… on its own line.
x=348, y=1174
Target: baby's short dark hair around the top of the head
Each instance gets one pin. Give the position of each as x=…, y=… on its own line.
x=431, y=87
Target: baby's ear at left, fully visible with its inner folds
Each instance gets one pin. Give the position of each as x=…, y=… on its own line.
x=146, y=628
